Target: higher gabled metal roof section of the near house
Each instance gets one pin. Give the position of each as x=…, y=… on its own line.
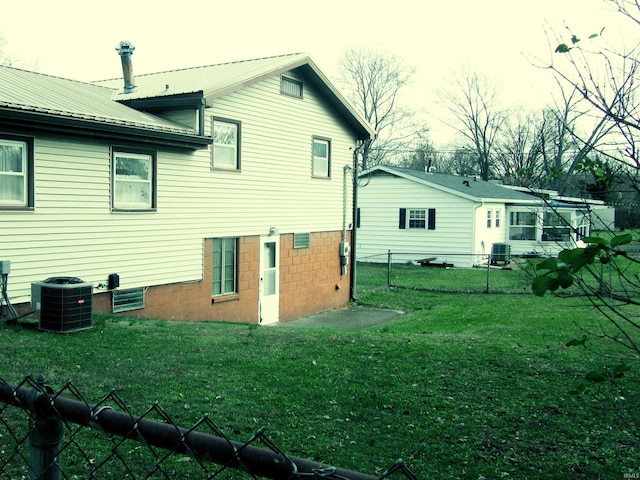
x=220, y=79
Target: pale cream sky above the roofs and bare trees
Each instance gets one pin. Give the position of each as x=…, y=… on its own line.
x=497, y=38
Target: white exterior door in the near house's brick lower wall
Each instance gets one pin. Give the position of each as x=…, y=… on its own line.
x=269, y=302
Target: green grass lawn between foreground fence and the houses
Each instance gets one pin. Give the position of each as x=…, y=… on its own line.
x=461, y=386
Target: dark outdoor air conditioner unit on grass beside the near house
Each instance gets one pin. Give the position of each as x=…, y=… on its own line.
x=65, y=304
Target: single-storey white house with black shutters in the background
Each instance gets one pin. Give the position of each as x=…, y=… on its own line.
x=459, y=220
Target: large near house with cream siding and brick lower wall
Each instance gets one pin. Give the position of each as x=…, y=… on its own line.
x=210, y=193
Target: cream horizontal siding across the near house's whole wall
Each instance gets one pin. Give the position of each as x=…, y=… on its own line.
x=73, y=231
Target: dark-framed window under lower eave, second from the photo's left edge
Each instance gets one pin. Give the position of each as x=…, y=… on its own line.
x=133, y=179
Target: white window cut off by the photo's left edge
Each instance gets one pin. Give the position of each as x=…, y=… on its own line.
x=16, y=172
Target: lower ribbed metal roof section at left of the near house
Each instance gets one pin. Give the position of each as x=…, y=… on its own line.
x=27, y=92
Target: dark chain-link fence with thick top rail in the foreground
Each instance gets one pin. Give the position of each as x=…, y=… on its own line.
x=63, y=437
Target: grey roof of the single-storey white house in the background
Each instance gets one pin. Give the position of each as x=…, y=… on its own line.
x=469, y=187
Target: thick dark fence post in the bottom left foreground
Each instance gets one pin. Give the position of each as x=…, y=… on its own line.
x=47, y=432
